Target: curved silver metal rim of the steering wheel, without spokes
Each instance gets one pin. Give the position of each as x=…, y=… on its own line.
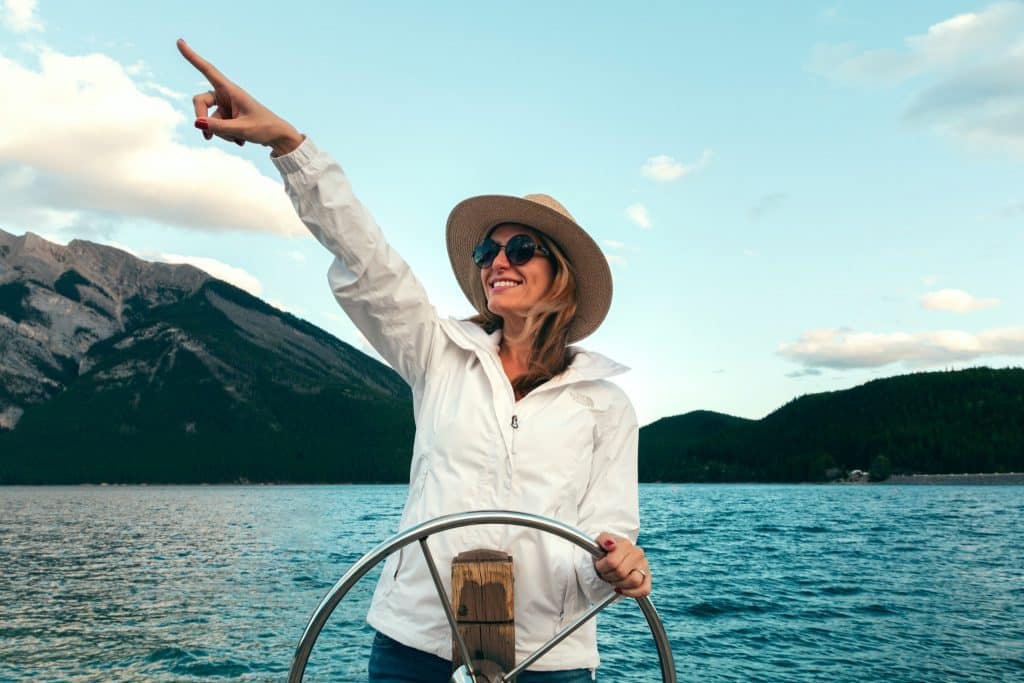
x=437, y=526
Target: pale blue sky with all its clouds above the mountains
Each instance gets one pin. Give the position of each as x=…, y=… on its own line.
x=794, y=197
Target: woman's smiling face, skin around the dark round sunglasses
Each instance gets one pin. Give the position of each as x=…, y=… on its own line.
x=513, y=290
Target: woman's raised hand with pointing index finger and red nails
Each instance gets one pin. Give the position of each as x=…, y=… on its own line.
x=238, y=117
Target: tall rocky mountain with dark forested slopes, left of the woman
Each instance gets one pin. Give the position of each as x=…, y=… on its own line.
x=114, y=369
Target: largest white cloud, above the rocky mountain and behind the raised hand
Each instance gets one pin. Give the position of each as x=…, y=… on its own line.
x=97, y=143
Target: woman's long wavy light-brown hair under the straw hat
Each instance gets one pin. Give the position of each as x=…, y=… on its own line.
x=547, y=323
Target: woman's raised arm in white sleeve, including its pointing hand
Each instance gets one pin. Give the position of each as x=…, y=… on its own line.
x=371, y=282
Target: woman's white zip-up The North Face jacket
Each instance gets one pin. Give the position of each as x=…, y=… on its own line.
x=567, y=451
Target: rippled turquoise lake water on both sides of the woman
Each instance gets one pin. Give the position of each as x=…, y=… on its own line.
x=753, y=582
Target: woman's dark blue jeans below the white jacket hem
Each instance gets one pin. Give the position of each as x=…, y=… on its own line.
x=391, y=662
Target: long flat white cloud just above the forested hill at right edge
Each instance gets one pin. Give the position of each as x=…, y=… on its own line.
x=844, y=349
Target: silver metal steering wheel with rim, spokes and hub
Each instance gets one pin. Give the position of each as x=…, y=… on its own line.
x=470, y=672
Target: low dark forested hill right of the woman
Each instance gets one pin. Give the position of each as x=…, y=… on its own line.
x=957, y=421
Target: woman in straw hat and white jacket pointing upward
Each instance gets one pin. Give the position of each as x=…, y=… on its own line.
x=508, y=416
